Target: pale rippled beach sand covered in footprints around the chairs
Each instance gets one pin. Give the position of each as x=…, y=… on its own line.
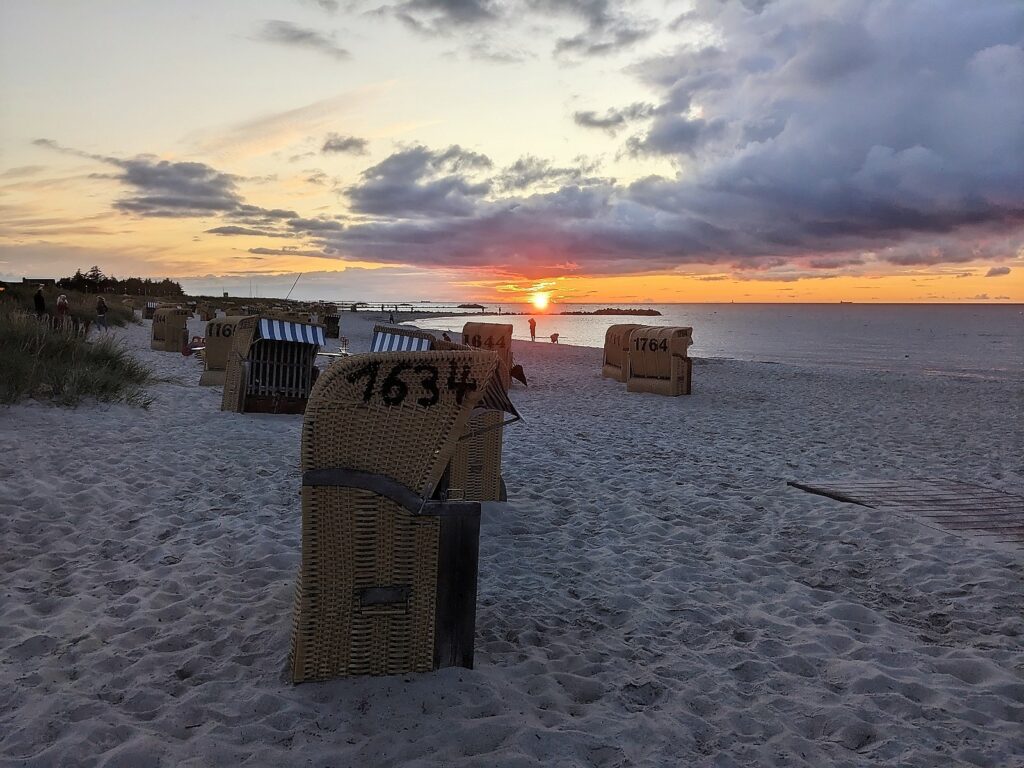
x=654, y=594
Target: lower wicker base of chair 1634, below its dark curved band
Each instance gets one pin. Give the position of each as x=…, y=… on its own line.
x=397, y=596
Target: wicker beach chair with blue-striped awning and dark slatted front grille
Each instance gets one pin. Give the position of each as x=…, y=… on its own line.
x=272, y=366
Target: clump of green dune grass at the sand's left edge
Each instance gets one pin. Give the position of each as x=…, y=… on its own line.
x=40, y=362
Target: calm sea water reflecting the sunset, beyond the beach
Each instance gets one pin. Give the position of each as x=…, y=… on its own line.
x=975, y=342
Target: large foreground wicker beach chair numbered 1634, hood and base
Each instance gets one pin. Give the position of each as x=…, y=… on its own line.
x=388, y=583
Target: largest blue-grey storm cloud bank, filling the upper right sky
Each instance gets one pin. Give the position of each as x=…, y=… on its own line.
x=864, y=133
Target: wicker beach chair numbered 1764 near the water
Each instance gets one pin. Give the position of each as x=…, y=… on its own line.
x=659, y=361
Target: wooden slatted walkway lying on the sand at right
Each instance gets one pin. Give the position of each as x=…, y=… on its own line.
x=961, y=508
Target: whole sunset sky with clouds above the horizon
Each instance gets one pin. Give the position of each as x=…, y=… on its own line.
x=657, y=151
